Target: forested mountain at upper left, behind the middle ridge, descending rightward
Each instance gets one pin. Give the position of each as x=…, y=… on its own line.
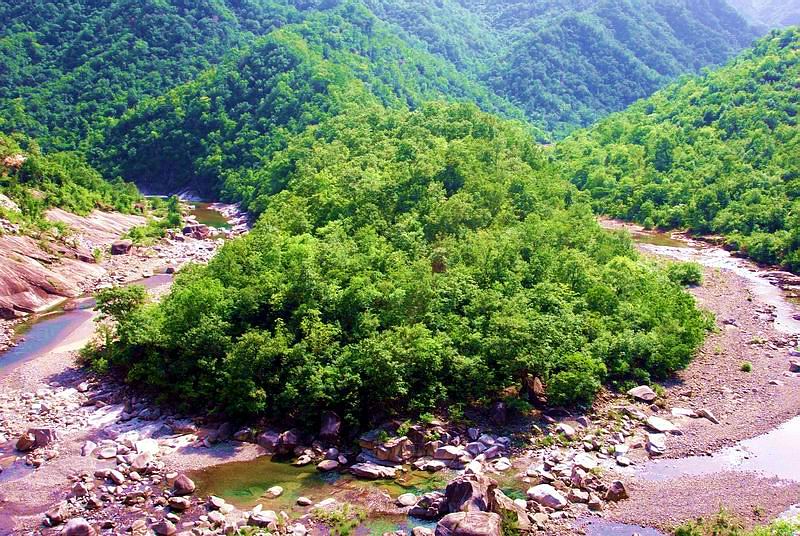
x=66, y=65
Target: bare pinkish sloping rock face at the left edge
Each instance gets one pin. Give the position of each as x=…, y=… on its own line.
x=36, y=275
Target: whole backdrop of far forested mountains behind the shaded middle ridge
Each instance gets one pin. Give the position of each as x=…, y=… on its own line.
x=66, y=66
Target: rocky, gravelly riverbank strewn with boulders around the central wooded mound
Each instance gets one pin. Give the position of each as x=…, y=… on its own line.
x=83, y=455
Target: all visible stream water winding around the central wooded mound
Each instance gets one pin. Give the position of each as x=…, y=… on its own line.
x=244, y=483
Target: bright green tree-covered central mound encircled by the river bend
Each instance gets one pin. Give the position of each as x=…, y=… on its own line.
x=404, y=260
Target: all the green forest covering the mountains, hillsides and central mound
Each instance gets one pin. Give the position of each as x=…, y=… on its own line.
x=417, y=247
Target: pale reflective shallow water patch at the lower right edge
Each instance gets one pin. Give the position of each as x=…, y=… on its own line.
x=772, y=454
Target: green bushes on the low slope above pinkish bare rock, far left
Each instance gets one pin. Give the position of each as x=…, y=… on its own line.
x=37, y=181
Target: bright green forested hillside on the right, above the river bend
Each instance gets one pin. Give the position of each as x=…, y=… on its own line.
x=716, y=154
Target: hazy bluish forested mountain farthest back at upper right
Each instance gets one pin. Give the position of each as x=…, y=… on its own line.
x=567, y=63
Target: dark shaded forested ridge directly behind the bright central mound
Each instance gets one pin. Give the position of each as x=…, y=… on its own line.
x=213, y=132
